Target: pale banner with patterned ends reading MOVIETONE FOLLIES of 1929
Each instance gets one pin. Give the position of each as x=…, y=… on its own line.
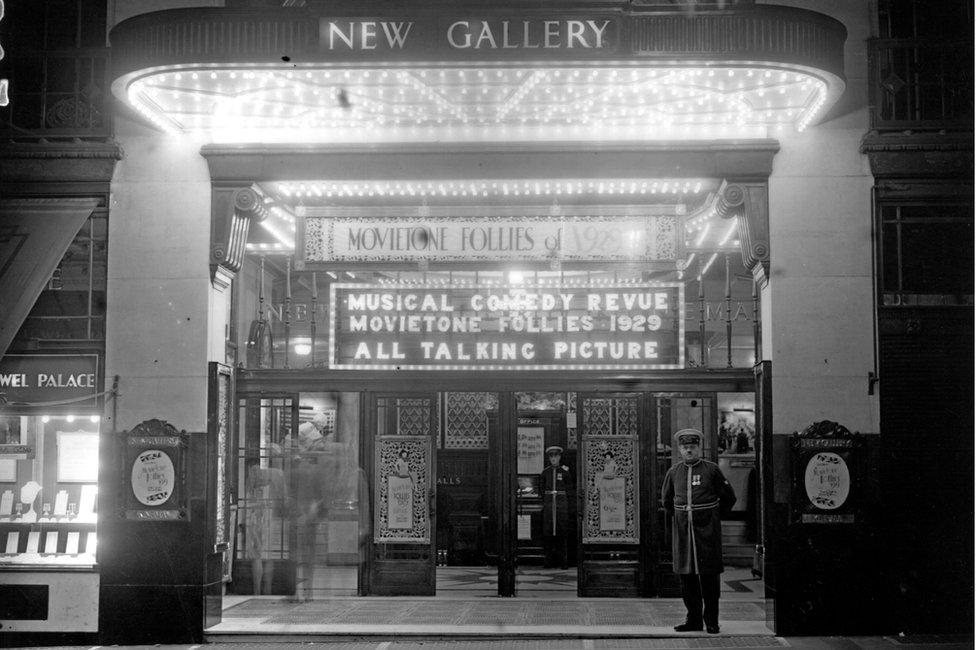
x=489, y=239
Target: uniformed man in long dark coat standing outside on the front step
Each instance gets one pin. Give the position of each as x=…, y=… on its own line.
x=696, y=492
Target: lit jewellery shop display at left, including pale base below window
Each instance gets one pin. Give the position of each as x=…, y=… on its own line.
x=48, y=521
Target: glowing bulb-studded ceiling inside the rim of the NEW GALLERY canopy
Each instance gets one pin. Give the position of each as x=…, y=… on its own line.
x=410, y=97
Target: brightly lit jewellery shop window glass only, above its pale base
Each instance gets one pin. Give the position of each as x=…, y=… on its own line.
x=48, y=490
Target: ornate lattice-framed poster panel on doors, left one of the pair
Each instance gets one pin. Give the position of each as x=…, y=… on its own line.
x=398, y=459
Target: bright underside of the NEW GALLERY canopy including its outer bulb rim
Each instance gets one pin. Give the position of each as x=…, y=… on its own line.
x=417, y=103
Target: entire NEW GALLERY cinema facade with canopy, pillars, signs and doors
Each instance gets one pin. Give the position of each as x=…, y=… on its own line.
x=397, y=253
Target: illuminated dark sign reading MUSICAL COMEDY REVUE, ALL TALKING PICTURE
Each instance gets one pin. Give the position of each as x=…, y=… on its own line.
x=507, y=327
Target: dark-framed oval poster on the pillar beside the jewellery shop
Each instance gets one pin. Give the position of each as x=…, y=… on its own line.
x=153, y=473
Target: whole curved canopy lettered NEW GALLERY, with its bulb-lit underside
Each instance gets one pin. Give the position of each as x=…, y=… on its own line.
x=480, y=74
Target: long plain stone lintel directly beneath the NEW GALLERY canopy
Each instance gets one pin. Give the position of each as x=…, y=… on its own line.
x=249, y=163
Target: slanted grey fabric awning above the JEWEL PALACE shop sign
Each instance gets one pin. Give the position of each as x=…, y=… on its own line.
x=34, y=235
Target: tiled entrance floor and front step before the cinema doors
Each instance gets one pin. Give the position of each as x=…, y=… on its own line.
x=466, y=606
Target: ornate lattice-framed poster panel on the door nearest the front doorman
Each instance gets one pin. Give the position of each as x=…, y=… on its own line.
x=610, y=500
